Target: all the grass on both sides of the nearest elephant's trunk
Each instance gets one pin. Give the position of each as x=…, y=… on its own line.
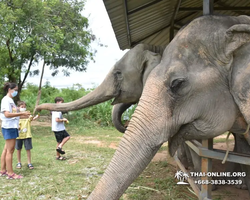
x=88, y=153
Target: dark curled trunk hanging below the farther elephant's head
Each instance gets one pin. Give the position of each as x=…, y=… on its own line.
x=117, y=112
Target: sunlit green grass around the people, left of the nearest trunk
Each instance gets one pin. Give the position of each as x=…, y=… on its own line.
x=53, y=179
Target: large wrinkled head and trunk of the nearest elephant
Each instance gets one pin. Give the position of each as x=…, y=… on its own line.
x=198, y=91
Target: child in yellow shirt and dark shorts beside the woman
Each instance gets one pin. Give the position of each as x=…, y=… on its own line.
x=25, y=136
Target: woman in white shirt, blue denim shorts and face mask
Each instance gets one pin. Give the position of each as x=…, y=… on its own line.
x=10, y=122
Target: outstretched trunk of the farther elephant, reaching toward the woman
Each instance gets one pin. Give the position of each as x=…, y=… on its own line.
x=107, y=90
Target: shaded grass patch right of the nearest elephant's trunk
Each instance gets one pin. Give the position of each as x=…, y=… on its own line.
x=157, y=182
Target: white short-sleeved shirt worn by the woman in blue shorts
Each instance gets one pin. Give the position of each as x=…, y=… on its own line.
x=7, y=104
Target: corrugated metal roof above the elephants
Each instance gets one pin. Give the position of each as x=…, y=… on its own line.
x=156, y=21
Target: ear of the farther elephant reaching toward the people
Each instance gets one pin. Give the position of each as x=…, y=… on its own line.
x=149, y=61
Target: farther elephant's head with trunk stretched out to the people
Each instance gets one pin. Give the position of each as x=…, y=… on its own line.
x=124, y=82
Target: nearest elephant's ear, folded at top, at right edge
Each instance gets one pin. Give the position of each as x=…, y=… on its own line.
x=238, y=48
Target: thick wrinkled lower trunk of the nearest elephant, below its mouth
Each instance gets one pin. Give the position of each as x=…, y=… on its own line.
x=134, y=153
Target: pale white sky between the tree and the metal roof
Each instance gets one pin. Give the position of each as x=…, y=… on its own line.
x=105, y=57
